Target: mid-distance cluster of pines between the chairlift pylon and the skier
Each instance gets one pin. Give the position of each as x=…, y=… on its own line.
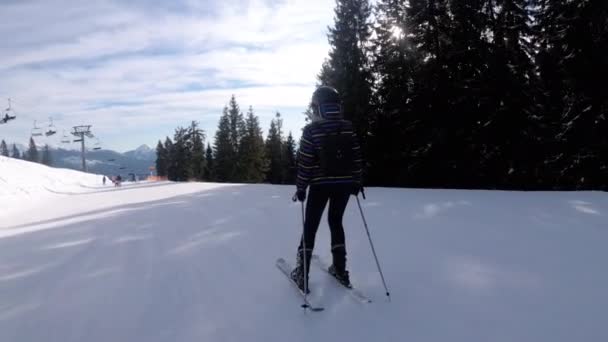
x=239, y=153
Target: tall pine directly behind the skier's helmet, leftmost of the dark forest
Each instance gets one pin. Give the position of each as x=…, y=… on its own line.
x=348, y=66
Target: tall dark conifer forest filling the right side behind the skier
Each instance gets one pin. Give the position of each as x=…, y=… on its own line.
x=509, y=94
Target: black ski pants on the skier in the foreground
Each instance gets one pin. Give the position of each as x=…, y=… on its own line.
x=318, y=196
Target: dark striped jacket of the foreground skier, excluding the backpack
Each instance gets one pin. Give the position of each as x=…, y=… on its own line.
x=309, y=168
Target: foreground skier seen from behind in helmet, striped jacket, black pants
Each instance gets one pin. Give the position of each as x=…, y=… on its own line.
x=330, y=165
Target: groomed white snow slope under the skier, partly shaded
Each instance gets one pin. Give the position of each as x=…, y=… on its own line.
x=195, y=262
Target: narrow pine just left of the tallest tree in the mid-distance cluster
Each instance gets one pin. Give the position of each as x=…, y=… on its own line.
x=224, y=153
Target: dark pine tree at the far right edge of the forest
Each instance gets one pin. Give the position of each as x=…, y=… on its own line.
x=573, y=75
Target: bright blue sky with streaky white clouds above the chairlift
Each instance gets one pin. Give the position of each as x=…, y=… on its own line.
x=136, y=70
